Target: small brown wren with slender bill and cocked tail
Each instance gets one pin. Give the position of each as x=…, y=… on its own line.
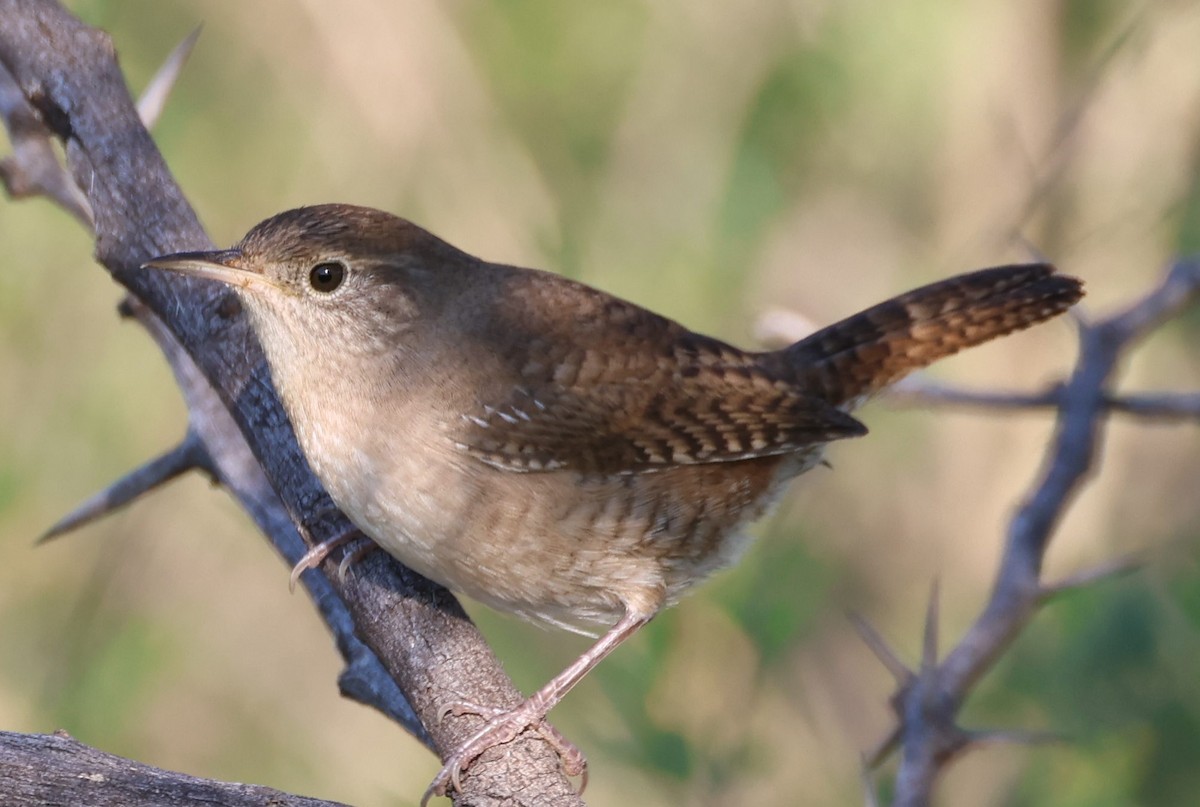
x=547, y=449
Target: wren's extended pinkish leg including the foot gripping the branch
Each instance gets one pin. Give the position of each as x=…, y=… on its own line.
x=505, y=726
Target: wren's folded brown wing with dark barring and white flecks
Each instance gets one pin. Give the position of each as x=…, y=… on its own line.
x=689, y=417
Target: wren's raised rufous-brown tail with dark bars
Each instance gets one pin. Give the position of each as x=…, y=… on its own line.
x=857, y=357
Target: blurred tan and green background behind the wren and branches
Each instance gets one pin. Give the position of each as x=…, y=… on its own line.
x=711, y=162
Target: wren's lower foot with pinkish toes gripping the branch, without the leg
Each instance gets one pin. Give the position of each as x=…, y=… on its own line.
x=503, y=727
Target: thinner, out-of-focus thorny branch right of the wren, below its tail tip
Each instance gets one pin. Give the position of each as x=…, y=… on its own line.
x=928, y=701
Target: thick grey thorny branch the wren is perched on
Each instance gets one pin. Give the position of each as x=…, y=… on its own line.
x=61, y=86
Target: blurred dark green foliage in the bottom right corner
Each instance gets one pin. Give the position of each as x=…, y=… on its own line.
x=1111, y=669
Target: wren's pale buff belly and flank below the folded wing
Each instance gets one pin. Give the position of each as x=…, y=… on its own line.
x=560, y=548
